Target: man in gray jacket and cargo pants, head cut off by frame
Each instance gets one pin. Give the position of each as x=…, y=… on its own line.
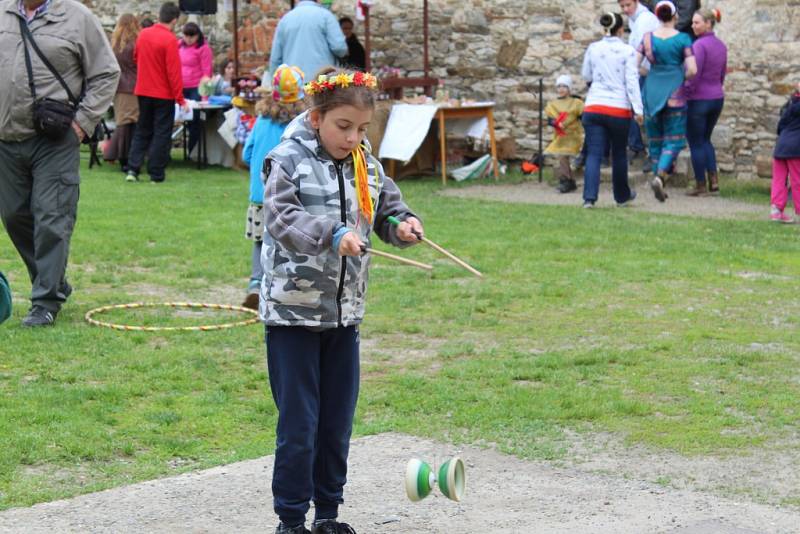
x=39, y=175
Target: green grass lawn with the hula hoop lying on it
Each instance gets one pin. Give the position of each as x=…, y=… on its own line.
x=673, y=332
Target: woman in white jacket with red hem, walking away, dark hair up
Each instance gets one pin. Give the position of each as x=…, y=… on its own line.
x=610, y=67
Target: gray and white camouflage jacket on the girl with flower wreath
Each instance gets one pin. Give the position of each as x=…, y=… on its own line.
x=308, y=197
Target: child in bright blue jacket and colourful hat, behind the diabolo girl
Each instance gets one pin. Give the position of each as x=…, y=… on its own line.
x=275, y=111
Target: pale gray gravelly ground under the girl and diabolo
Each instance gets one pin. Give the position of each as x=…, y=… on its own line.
x=504, y=494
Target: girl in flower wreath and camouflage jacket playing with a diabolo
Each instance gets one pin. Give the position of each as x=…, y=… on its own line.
x=324, y=196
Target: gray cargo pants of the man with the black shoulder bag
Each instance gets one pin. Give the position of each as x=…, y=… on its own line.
x=38, y=205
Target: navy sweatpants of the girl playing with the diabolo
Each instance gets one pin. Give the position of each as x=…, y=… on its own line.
x=314, y=377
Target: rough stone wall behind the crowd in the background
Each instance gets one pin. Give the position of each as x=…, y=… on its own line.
x=499, y=49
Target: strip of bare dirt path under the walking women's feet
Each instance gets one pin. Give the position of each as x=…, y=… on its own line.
x=677, y=204
